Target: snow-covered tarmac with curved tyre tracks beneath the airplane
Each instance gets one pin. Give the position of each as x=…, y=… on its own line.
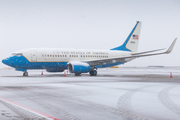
x=114, y=94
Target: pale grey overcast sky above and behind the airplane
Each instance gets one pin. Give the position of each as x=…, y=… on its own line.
x=90, y=24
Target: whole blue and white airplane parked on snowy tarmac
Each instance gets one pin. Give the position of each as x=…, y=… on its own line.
x=80, y=60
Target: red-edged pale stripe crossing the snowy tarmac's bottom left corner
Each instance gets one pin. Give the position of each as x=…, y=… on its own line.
x=25, y=110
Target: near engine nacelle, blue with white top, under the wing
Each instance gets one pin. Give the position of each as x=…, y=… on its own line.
x=78, y=67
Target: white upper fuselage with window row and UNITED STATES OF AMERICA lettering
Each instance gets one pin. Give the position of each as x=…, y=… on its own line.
x=66, y=55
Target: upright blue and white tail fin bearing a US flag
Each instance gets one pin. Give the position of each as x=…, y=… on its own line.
x=132, y=41
